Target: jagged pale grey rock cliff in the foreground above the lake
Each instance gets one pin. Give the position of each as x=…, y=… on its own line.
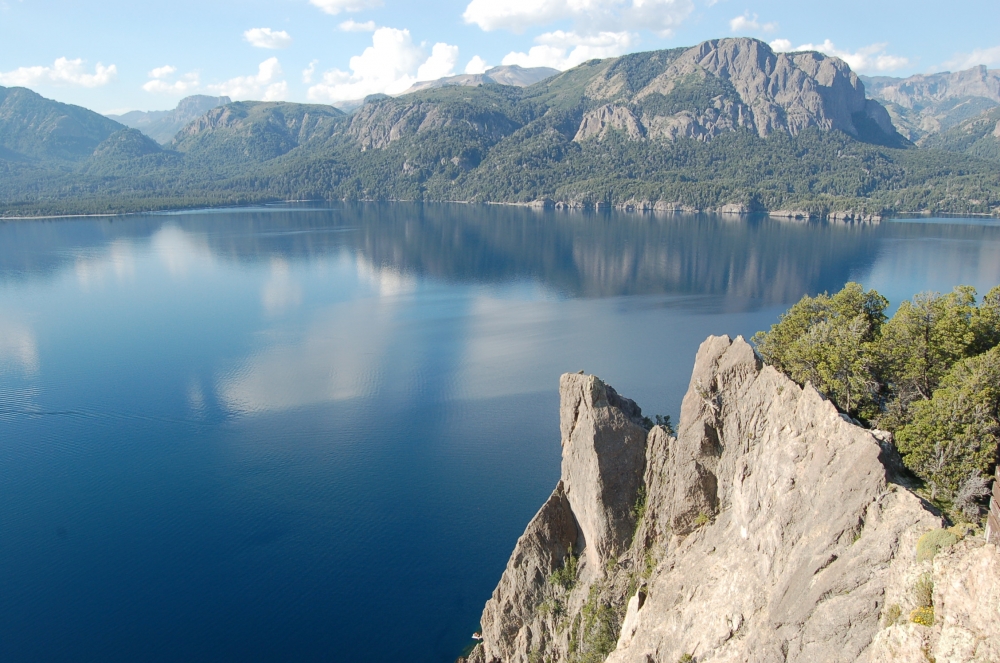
x=767, y=530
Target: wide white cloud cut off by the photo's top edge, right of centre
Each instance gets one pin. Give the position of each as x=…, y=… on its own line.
x=588, y=16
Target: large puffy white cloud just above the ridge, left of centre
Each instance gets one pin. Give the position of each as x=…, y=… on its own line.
x=390, y=65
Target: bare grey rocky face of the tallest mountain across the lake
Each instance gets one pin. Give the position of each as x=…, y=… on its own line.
x=752, y=87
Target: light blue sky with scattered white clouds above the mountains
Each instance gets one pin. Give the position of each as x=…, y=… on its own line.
x=120, y=55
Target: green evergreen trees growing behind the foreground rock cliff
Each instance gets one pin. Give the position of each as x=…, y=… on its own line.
x=930, y=374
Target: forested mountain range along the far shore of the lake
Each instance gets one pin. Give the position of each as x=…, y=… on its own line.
x=727, y=124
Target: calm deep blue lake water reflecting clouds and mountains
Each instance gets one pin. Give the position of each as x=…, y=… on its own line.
x=314, y=434
